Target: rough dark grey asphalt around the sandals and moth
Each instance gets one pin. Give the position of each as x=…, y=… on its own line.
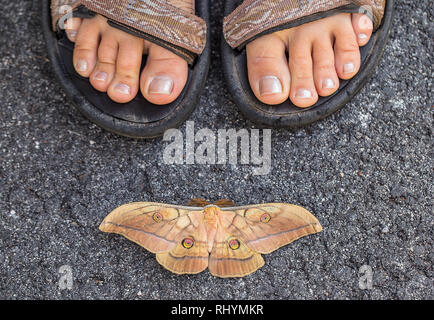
x=365, y=172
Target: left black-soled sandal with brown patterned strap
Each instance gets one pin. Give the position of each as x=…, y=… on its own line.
x=138, y=118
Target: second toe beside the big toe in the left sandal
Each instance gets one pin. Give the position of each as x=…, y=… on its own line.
x=125, y=84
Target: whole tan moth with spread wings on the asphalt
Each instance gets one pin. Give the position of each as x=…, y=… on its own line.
x=226, y=239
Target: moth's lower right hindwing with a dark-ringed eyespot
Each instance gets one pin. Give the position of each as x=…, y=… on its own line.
x=230, y=256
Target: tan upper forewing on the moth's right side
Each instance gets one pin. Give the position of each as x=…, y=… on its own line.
x=267, y=227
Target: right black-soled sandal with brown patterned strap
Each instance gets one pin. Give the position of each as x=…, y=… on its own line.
x=240, y=28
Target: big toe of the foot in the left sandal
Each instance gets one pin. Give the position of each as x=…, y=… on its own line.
x=164, y=75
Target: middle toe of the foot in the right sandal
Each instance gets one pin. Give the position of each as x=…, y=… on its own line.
x=324, y=71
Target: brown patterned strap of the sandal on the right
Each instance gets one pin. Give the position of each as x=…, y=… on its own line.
x=257, y=17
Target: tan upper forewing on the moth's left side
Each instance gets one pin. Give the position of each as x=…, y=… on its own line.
x=157, y=227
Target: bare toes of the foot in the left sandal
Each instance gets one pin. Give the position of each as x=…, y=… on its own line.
x=111, y=59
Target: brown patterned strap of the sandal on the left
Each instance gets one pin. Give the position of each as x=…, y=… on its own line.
x=155, y=20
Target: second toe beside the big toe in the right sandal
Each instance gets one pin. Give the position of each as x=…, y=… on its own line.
x=303, y=93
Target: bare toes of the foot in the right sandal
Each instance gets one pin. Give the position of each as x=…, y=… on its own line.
x=319, y=53
